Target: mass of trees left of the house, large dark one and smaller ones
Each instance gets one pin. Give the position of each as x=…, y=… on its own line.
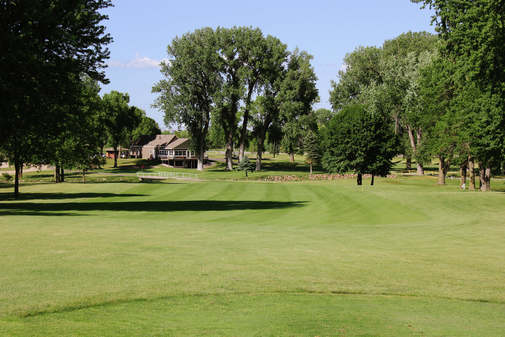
x=52, y=60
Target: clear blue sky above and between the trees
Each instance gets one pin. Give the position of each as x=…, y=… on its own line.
x=326, y=29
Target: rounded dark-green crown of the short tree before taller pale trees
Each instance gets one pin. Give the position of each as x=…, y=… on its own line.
x=360, y=141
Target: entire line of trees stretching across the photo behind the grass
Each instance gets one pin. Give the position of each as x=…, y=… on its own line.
x=419, y=95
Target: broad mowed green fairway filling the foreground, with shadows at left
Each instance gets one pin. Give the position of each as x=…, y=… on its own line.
x=402, y=258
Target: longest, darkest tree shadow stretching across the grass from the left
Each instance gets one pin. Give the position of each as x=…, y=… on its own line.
x=143, y=206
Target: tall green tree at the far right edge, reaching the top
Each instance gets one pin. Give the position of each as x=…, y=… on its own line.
x=473, y=32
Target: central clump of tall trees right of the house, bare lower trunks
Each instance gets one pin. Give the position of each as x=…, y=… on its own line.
x=240, y=84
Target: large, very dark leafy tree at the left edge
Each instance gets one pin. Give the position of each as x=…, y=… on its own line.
x=46, y=46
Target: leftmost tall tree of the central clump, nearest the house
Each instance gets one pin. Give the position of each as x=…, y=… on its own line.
x=193, y=86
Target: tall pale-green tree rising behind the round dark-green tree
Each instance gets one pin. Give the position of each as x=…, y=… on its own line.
x=382, y=78
